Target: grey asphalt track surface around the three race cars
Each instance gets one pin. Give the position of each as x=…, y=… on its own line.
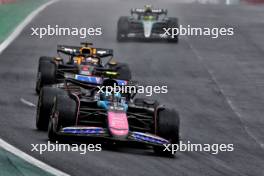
x=216, y=84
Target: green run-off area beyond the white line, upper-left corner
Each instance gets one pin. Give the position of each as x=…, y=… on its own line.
x=12, y=14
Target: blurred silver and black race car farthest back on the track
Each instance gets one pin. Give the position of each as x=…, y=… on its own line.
x=147, y=23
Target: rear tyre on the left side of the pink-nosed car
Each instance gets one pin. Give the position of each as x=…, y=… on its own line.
x=45, y=102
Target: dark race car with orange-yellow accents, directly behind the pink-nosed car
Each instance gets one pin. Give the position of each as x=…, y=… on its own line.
x=83, y=60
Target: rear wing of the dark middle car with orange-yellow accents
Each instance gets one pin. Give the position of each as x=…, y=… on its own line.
x=88, y=51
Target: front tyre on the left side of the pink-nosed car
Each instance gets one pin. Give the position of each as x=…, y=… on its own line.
x=64, y=113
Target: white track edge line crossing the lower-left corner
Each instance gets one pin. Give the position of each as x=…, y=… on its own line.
x=30, y=159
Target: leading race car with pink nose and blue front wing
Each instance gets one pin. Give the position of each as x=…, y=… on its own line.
x=115, y=116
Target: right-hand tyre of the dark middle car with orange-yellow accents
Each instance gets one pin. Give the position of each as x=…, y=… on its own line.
x=123, y=70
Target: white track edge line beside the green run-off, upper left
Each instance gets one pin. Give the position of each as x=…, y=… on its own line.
x=22, y=25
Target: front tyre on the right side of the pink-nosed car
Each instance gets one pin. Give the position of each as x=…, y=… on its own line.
x=168, y=123
